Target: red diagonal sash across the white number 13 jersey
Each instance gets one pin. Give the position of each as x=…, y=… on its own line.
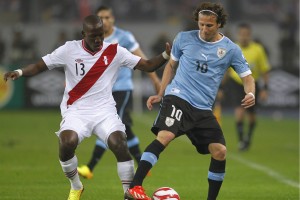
x=93, y=74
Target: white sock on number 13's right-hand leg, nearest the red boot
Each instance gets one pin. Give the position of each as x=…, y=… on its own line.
x=126, y=173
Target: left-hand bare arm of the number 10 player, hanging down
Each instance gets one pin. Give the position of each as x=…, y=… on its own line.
x=168, y=75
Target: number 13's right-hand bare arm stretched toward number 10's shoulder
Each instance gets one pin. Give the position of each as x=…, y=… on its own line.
x=154, y=63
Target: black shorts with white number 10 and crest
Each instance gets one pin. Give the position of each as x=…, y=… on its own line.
x=179, y=117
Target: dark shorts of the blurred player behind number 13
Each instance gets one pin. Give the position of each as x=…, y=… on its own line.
x=123, y=101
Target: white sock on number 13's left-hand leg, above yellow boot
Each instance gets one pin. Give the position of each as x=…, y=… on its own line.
x=69, y=167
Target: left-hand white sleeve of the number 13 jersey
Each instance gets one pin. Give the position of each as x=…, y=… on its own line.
x=56, y=58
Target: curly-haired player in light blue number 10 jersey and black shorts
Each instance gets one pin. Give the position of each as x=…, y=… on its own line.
x=199, y=60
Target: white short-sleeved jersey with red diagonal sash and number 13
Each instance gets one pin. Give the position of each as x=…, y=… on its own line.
x=89, y=75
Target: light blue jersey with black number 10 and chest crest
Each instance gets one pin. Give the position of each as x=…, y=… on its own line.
x=202, y=66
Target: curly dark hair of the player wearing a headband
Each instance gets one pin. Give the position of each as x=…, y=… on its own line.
x=215, y=8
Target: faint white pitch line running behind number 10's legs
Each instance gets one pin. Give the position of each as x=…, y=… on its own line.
x=145, y=119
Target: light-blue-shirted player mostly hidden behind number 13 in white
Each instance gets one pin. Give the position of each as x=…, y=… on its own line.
x=122, y=90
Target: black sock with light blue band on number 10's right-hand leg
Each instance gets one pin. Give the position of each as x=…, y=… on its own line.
x=216, y=175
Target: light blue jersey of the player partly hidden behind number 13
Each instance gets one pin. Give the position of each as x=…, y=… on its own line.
x=126, y=40
